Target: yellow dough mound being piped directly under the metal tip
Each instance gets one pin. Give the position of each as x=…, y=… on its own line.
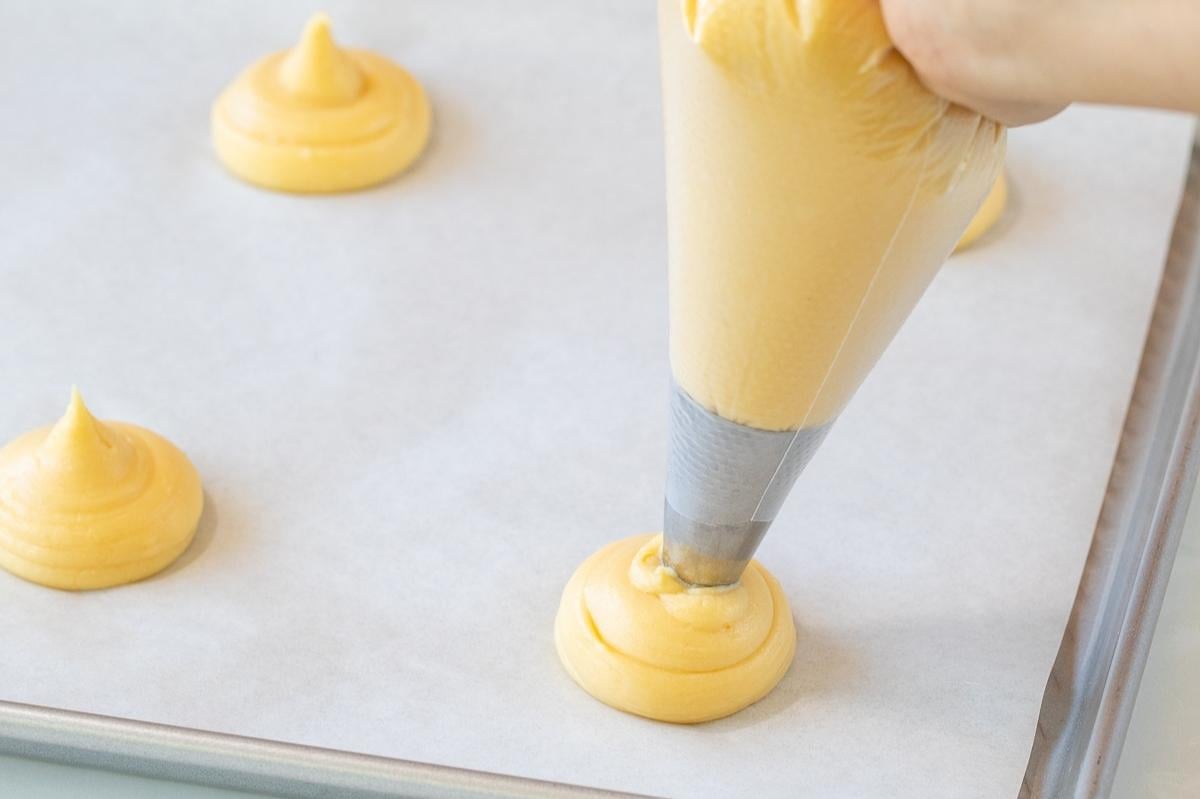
x=638, y=639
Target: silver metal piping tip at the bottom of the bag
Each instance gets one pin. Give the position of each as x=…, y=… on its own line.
x=725, y=486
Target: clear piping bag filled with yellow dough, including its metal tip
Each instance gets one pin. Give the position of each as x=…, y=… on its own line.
x=814, y=190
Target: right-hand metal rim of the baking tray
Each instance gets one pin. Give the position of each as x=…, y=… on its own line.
x=1094, y=684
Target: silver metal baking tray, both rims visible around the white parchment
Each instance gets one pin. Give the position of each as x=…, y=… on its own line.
x=1088, y=702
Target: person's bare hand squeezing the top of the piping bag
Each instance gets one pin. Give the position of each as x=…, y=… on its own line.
x=1022, y=62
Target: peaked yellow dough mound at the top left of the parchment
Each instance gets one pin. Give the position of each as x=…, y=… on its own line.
x=321, y=119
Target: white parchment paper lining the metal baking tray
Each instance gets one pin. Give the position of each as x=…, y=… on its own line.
x=418, y=408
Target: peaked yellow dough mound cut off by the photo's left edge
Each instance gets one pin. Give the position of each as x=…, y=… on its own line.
x=89, y=504
